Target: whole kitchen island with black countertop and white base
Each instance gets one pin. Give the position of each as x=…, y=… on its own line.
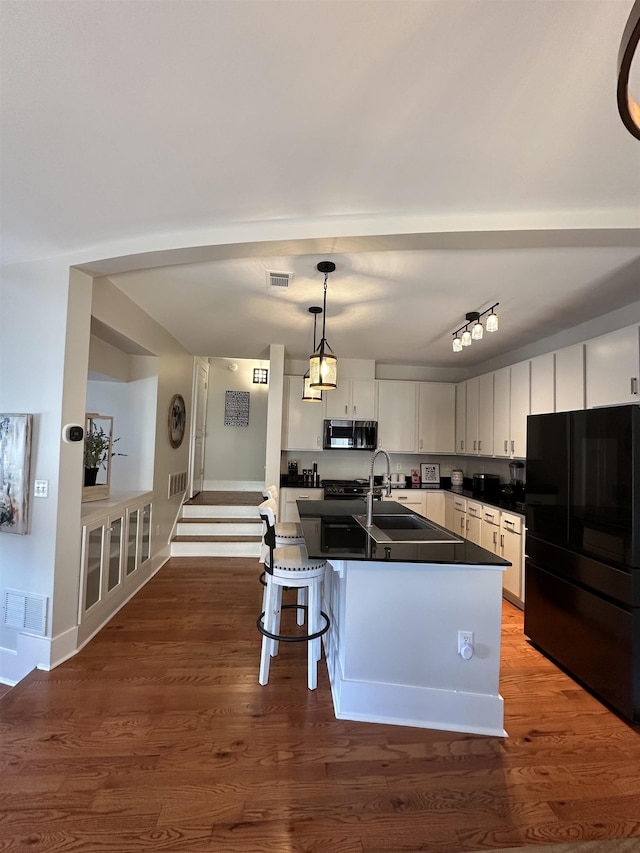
x=396, y=610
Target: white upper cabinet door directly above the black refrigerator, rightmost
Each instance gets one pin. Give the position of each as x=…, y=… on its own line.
x=613, y=368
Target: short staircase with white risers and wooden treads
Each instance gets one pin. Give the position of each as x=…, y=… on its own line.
x=219, y=524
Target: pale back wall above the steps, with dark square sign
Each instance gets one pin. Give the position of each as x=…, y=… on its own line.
x=235, y=454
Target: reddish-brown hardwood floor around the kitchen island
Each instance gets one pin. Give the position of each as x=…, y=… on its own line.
x=158, y=737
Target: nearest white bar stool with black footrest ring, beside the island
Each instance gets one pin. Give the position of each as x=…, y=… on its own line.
x=290, y=566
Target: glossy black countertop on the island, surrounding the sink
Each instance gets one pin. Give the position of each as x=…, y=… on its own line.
x=331, y=531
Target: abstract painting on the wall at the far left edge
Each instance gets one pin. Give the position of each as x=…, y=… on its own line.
x=15, y=455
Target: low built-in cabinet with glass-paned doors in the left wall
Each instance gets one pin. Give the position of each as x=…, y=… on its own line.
x=116, y=542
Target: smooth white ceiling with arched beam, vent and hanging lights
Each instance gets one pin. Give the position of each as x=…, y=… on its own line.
x=445, y=154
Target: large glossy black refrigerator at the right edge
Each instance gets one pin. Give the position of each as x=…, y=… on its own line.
x=582, y=570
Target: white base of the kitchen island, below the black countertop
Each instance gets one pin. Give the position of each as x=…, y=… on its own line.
x=392, y=648
